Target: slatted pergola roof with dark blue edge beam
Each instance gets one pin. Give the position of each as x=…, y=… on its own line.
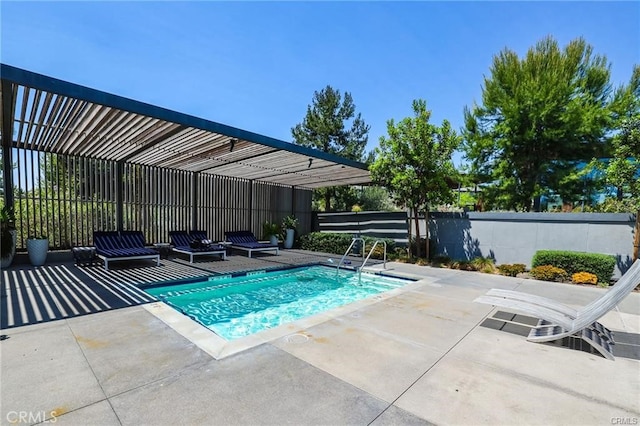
x=42, y=113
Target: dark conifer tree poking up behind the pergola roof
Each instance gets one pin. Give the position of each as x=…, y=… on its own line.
x=331, y=125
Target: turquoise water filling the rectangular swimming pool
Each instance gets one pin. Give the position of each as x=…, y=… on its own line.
x=235, y=307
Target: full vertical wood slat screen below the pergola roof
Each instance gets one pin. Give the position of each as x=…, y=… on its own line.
x=66, y=198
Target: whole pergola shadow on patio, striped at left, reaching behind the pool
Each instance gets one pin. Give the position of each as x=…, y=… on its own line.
x=32, y=295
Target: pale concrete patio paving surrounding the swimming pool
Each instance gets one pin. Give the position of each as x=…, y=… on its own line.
x=419, y=355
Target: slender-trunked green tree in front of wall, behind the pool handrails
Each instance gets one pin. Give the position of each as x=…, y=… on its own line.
x=414, y=163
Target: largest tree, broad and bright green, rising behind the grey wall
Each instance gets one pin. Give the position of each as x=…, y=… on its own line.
x=540, y=117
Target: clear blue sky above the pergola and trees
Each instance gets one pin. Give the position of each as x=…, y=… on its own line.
x=255, y=65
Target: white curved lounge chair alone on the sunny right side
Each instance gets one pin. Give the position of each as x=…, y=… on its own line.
x=557, y=321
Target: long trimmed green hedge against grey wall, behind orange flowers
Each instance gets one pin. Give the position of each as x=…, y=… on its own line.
x=601, y=265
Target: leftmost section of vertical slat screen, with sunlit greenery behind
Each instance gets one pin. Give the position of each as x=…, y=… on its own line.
x=64, y=198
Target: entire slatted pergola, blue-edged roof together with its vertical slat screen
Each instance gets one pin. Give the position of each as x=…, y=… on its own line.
x=78, y=160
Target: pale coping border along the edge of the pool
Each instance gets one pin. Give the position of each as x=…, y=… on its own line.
x=219, y=348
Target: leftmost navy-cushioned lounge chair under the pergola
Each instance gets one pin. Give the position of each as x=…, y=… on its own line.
x=126, y=245
